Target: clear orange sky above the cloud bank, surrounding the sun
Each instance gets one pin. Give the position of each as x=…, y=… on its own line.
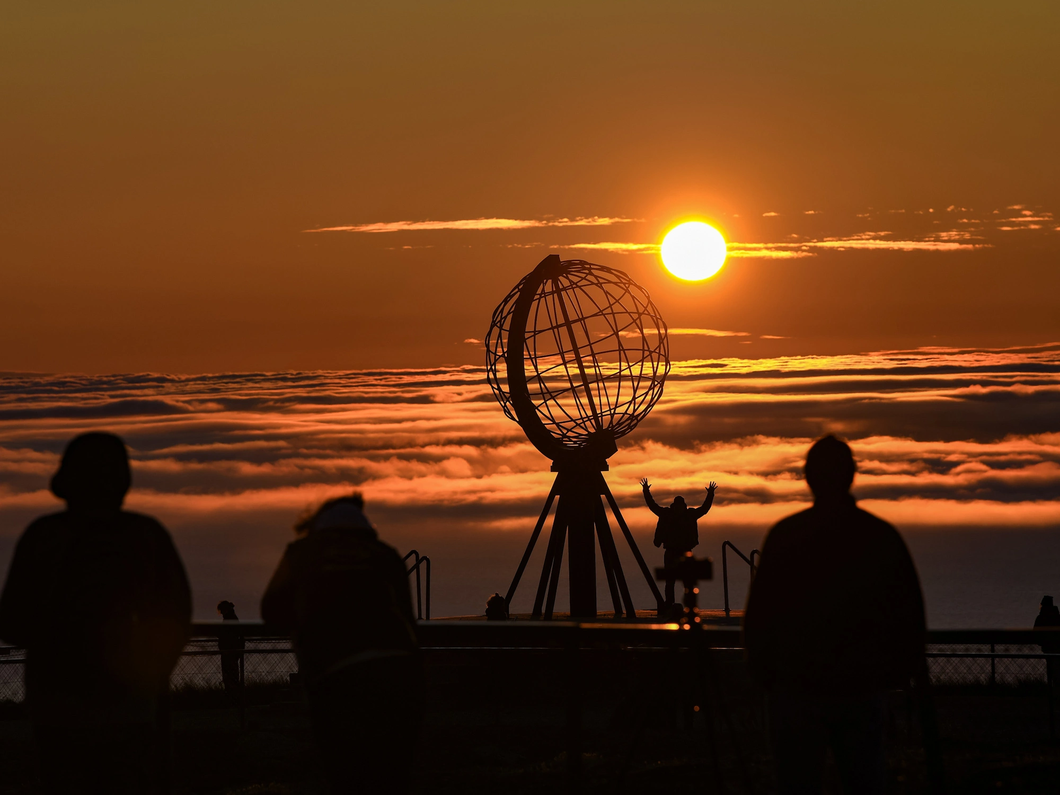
x=161, y=169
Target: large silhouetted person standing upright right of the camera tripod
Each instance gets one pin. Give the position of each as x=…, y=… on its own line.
x=835, y=619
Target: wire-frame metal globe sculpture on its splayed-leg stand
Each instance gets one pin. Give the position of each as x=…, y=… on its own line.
x=578, y=356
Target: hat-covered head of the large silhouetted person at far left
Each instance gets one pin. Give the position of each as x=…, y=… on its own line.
x=95, y=473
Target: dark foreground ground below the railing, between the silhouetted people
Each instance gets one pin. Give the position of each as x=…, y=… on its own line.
x=497, y=723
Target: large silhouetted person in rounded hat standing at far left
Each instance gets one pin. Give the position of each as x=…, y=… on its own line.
x=99, y=598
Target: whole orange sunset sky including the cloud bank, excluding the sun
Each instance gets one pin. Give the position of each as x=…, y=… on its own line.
x=287, y=226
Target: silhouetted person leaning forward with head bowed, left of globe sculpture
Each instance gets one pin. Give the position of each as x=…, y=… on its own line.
x=344, y=596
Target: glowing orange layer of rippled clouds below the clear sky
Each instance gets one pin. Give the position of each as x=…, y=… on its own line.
x=945, y=438
